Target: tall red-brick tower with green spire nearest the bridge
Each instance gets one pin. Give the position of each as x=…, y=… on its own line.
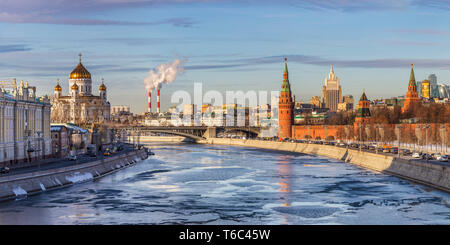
x=285, y=107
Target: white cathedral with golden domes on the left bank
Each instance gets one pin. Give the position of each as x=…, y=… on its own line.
x=80, y=106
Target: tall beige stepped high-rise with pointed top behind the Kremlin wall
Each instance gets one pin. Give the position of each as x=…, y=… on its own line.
x=332, y=92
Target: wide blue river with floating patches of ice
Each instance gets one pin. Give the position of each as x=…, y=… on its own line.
x=206, y=184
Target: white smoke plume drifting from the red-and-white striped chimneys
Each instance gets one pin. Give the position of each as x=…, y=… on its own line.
x=164, y=73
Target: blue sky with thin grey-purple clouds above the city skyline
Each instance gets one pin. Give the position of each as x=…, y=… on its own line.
x=226, y=44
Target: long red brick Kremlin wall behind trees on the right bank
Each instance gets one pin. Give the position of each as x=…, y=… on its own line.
x=338, y=131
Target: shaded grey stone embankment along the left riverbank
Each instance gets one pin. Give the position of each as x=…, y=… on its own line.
x=21, y=185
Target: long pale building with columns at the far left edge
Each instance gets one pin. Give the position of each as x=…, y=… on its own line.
x=24, y=125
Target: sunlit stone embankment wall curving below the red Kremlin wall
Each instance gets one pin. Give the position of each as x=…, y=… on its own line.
x=429, y=174
